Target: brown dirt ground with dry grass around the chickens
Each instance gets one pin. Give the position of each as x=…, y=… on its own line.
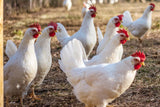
x=56, y=91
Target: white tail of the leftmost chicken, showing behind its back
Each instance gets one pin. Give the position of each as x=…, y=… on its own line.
x=11, y=48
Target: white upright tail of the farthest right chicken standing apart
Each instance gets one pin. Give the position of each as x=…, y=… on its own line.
x=127, y=19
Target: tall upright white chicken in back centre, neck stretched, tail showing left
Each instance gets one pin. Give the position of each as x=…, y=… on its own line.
x=86, y=34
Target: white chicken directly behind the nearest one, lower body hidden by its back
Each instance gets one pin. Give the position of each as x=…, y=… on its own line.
x=112, y=52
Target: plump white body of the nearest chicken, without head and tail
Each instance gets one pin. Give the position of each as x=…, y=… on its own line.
x=100, y=84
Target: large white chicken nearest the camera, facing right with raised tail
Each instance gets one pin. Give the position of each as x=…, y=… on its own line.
x=98, y=85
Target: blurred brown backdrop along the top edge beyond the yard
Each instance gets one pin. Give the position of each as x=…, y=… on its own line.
x=12, y=6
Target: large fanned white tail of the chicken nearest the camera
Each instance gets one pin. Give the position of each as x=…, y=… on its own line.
x=72, y=56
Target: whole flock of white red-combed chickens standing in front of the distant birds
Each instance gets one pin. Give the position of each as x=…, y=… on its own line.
x=96, y=81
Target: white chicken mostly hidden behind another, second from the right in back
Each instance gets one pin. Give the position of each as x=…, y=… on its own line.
x=111, y=30
